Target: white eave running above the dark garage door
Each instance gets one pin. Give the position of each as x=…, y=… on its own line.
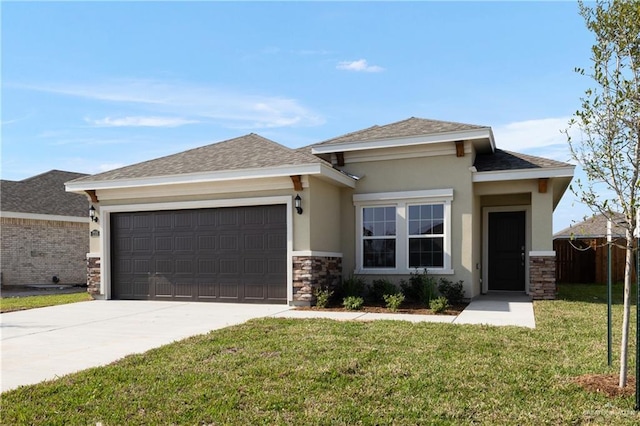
x=241, y=174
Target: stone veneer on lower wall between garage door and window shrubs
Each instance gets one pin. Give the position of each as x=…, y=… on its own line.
x=311, y=272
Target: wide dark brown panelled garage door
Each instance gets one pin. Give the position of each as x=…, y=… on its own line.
x=231, y=254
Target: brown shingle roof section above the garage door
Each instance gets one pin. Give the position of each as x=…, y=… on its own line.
x=246, y=152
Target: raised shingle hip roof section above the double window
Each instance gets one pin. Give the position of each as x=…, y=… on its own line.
x=410, y=127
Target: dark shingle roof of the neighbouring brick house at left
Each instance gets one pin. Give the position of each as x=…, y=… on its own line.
x=44, y=194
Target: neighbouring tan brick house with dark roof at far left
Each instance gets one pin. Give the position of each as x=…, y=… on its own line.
x=44, y=231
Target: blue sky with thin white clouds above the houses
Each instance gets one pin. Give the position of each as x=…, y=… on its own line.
x=92, y=86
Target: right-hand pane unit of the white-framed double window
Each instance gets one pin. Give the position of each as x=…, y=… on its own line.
x=426, y=236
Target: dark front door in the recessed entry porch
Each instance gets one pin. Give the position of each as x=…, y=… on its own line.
x=507, y=251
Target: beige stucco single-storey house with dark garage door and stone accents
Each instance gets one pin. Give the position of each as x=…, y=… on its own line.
x=249, y=220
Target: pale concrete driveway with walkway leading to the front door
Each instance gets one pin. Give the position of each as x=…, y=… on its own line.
x=46, y=343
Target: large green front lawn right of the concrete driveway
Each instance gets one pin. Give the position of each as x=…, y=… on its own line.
x=283, y=371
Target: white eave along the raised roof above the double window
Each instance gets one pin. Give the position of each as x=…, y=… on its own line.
x=479, y=136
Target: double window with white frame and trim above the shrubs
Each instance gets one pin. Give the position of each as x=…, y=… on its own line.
x=401, y=231
